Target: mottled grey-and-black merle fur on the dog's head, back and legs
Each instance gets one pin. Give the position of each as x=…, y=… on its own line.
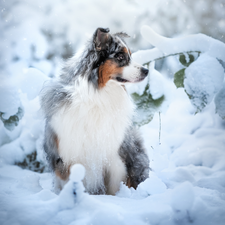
x=56, y=94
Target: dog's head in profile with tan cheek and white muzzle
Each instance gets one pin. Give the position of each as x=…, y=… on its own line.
x=114, y=60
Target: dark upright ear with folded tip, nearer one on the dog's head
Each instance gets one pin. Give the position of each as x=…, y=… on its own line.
x=102, y=39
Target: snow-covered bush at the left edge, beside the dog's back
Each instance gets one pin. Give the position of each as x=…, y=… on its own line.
x=21, y=124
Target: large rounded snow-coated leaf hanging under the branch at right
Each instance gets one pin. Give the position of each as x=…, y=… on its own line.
x=203, y=79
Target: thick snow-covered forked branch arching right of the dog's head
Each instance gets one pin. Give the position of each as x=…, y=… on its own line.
x=165, y=47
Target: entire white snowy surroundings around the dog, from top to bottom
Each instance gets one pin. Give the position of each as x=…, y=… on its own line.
x=186, y=149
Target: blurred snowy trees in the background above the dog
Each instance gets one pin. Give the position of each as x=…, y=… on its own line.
x=42, y=33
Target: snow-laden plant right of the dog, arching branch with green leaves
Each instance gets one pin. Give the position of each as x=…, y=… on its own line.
x=202, y=75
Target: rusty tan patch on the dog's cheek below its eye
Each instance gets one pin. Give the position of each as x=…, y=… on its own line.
x=108, y=71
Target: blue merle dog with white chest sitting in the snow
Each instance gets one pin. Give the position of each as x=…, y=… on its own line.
x=89, y=117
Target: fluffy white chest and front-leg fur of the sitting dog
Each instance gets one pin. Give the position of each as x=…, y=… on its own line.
x=91, y=129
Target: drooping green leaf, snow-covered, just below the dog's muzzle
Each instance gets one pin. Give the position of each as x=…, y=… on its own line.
x=146, y=106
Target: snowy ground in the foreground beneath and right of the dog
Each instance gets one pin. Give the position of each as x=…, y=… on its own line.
x=186, y=184
